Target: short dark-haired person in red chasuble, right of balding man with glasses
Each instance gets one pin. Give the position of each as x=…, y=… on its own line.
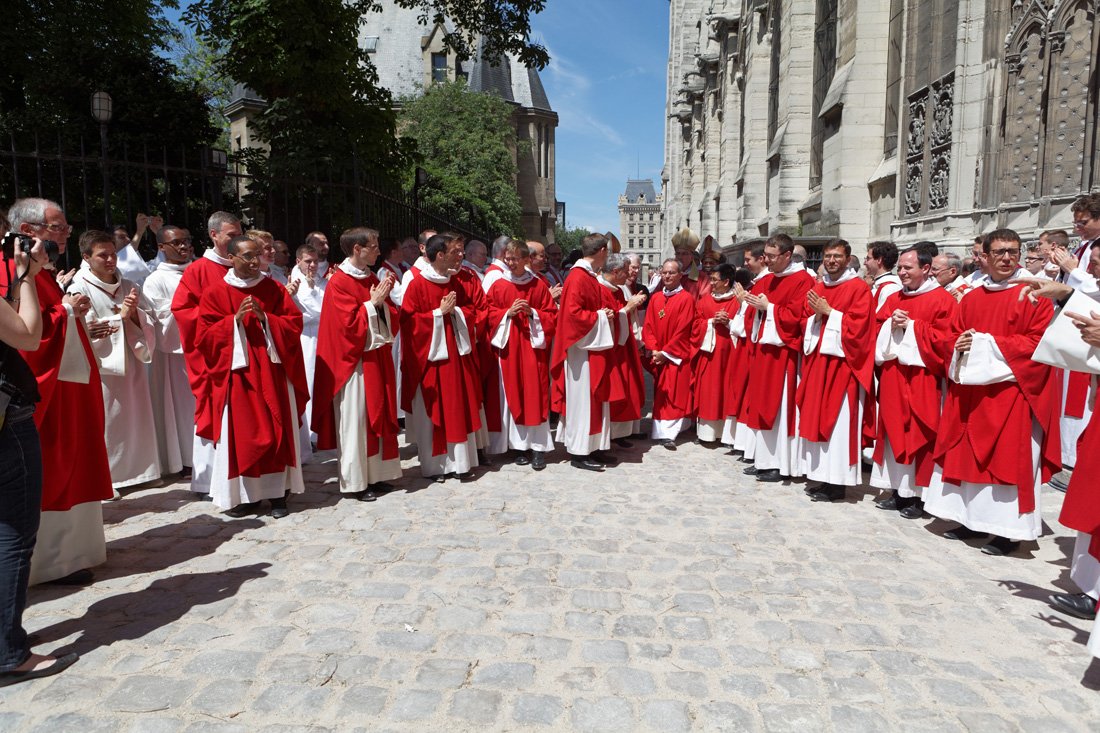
x=713, y=365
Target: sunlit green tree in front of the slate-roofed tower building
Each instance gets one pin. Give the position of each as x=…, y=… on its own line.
x=467, y=144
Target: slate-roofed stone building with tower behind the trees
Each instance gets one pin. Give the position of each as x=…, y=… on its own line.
x=410, y=56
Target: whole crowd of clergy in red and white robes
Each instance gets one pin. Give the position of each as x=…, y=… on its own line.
x=234, y=367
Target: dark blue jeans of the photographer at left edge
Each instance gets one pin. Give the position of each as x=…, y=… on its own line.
x=20, y=511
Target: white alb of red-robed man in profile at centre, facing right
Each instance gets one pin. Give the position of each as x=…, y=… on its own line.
x=576, y=424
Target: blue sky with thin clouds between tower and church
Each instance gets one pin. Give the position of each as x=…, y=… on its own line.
x=607, y=82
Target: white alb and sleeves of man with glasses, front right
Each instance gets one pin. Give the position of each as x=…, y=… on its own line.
x=987, y=508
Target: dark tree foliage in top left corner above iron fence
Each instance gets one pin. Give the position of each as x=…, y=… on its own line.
x=57, y=53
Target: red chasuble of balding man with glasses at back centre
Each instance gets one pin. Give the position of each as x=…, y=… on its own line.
x=670, y=327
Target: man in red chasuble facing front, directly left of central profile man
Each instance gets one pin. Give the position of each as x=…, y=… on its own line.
x=522, y=322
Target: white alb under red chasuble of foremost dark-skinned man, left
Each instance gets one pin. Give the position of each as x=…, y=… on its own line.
x=226, y=493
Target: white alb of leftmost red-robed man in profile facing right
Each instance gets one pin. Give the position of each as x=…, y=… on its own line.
x=359, y=471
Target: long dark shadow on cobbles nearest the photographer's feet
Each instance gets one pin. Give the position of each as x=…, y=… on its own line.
x=133, y=616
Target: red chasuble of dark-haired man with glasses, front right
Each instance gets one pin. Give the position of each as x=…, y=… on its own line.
x=985, y=432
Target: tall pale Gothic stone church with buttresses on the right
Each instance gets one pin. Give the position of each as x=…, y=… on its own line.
x=878, y=119
